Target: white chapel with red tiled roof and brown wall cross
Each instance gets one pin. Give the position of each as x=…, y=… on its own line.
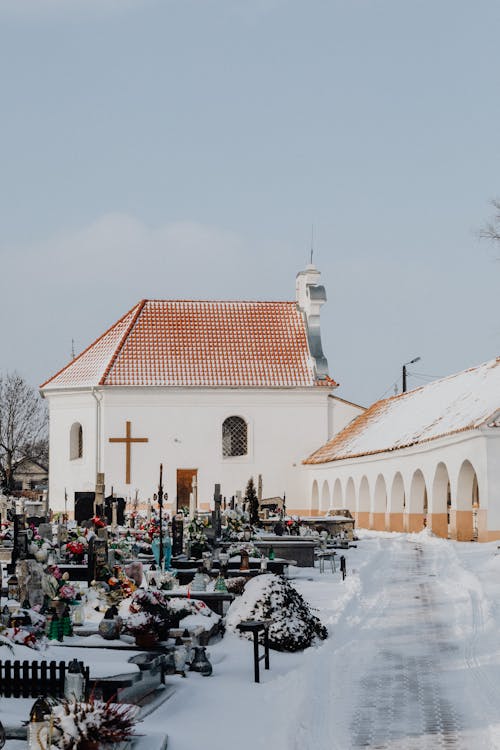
x=219, y=391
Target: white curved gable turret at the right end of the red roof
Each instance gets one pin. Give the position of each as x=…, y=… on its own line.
x=310, y=295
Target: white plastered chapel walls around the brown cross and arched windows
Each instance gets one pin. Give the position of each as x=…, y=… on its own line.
x=184, y=428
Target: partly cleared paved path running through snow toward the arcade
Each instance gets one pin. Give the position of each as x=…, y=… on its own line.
x=415, y=681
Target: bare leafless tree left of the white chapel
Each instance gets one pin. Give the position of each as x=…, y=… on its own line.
x=23, y=427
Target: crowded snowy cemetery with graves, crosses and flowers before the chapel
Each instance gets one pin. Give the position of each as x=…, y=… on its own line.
x=106, y=617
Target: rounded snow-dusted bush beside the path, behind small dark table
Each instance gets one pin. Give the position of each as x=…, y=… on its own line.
x=269, y=597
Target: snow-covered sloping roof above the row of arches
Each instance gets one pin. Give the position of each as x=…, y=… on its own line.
x=459, y=402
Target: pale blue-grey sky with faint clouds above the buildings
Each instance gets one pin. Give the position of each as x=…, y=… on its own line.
x=184, y=148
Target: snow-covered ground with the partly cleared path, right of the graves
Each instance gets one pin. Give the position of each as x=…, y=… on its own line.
x=413, y=660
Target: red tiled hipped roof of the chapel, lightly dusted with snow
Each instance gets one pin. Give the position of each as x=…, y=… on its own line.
x=198, y=343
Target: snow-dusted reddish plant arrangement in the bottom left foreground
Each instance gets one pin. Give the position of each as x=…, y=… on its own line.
x=75, y=723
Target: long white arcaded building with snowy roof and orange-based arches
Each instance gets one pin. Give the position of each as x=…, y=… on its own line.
x=429, y=457
